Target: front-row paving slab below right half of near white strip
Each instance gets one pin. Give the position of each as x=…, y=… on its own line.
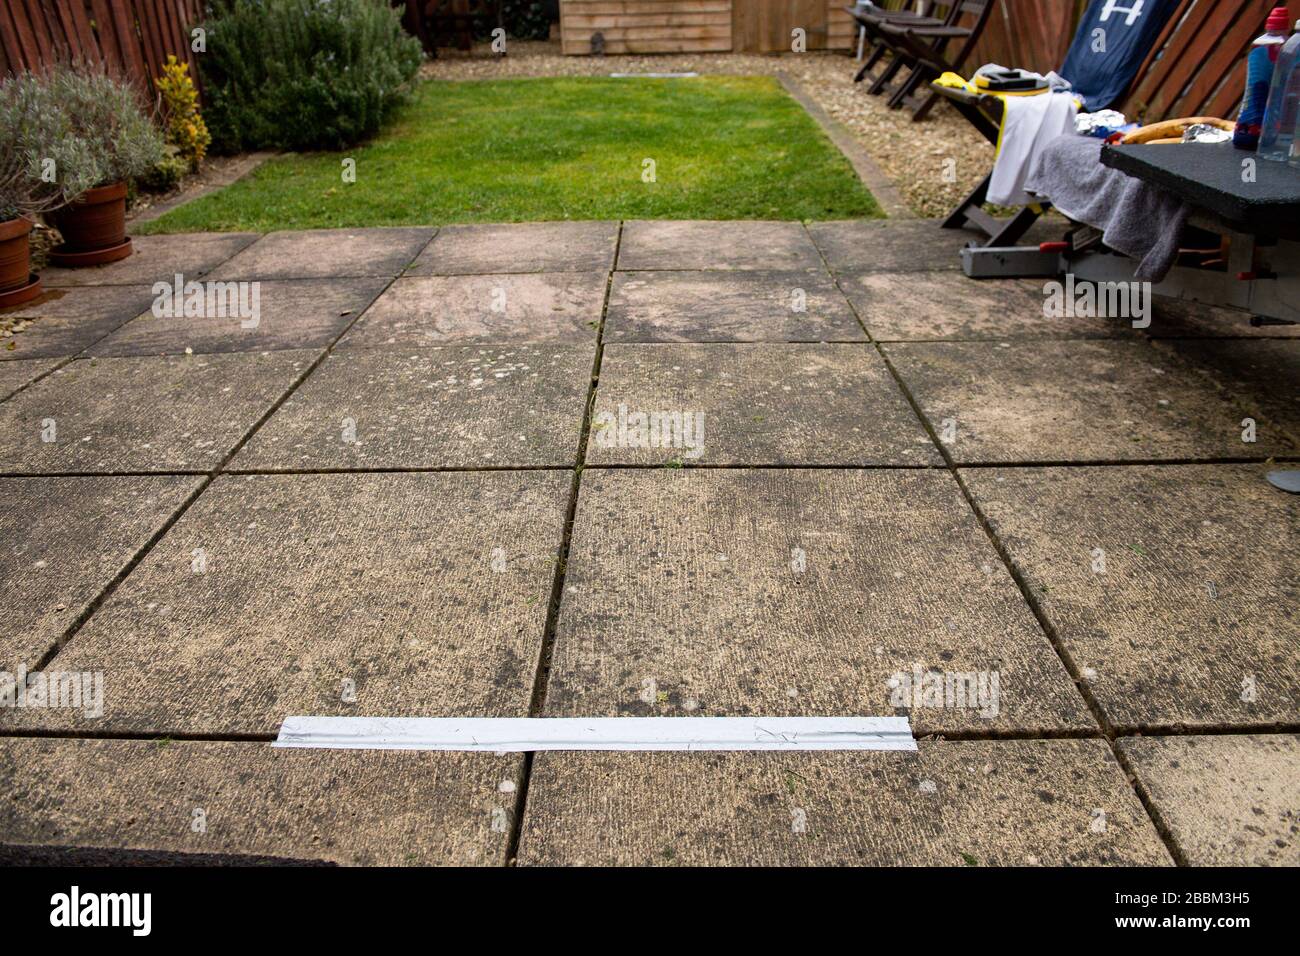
x=1016, y=803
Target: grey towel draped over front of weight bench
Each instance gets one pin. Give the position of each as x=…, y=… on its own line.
x=1141, y=220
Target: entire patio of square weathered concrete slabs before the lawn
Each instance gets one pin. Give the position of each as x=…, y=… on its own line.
x=398, y=496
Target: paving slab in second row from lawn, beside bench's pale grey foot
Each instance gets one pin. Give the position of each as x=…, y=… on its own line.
x=948, y=306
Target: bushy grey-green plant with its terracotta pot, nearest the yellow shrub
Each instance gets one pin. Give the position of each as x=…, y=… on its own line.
x=123, y=144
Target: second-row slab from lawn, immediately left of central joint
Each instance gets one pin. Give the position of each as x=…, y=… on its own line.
x=523, y=309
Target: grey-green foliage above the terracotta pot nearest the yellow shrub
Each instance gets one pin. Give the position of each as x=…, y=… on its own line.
x=109, y=116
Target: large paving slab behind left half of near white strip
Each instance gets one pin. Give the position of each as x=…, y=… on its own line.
x=361, y=595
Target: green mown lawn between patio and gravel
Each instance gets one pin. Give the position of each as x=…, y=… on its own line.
x=519, y=150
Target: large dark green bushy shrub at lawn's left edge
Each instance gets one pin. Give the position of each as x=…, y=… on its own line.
x=304, y=75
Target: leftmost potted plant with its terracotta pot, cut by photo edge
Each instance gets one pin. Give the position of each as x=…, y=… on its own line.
x=42, y=167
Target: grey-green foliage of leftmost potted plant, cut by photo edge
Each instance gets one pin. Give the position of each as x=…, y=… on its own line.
x=44, y=163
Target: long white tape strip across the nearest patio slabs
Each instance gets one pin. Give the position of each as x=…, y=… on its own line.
x=521, y=734
